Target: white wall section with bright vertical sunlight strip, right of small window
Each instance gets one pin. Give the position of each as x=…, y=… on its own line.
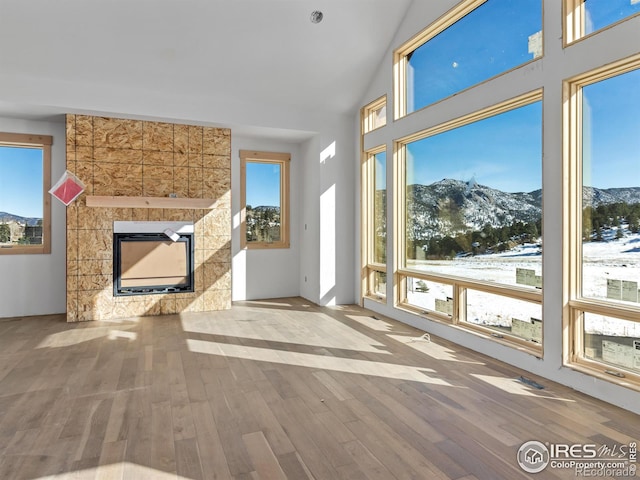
x=327, y=220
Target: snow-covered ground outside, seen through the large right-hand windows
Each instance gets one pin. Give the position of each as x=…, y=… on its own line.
x=612, y=259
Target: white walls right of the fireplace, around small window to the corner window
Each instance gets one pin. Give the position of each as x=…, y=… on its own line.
x=318, y=266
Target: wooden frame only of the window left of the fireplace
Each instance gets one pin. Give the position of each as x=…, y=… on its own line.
x=42, y=142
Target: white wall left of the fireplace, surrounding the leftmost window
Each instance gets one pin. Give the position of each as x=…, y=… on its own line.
x=36, y=284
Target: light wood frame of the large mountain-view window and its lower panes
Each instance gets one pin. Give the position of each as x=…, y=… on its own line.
x=460, y=285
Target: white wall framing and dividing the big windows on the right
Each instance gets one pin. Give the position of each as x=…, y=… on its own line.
x=557, y=64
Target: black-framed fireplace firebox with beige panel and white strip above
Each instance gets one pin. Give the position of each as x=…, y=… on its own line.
x=152, y=258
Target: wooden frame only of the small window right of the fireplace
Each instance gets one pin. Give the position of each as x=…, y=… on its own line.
x=275, y=158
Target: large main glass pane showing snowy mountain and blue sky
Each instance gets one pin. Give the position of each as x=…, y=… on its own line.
x=473, y=204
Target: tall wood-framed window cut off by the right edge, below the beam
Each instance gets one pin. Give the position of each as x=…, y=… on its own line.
x=605, y=248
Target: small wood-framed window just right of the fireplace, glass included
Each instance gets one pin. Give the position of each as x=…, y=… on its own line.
x=265, y=199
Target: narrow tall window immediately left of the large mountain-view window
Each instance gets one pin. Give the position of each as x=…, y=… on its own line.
x=375, y=186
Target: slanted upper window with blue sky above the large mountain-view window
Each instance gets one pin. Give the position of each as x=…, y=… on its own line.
x=476, y=41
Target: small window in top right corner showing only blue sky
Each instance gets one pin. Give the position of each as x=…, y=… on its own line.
x=584, y=18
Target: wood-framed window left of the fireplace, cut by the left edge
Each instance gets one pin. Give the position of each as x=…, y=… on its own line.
x=25, y=177
